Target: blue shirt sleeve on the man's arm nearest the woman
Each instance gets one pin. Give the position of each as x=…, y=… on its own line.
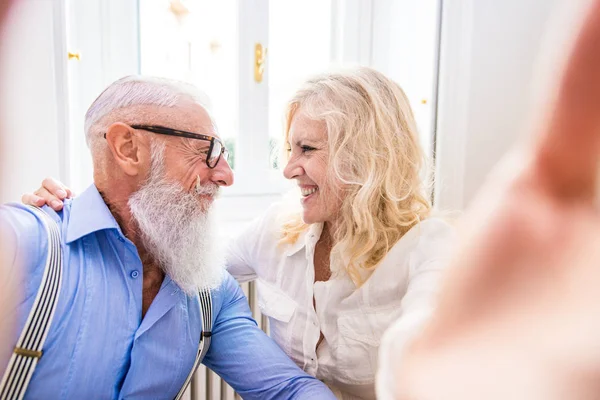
x=248, y=360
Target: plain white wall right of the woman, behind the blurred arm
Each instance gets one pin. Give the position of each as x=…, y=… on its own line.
x=490, y=54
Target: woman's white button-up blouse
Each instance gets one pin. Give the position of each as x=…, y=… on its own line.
x=351, y=319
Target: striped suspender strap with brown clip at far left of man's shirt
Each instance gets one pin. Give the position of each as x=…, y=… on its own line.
x=28, y=350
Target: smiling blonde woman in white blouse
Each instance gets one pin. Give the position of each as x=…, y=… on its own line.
x=363, y=251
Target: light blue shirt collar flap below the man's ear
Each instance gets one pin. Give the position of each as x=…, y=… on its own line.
x=89, y=214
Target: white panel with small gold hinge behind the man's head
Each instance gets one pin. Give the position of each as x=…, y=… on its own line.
x=102, y=45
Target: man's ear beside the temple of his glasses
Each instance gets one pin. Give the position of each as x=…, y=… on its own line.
x=130, y=151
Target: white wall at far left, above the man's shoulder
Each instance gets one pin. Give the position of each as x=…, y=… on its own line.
x=32, y=60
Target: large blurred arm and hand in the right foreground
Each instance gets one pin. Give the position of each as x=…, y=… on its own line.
x=519, y=313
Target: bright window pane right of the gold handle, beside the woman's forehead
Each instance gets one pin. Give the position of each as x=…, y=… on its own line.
x=299, y=46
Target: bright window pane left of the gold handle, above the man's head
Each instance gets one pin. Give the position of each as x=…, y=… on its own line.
x=195, y=41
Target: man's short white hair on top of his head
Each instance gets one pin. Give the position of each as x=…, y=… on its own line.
x=135, y=90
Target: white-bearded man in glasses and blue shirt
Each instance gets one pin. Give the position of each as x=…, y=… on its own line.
x=137, y=247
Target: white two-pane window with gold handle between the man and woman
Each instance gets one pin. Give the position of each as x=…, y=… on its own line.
x=218, y=46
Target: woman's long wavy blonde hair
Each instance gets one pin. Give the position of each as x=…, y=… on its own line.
x=374, y=154
